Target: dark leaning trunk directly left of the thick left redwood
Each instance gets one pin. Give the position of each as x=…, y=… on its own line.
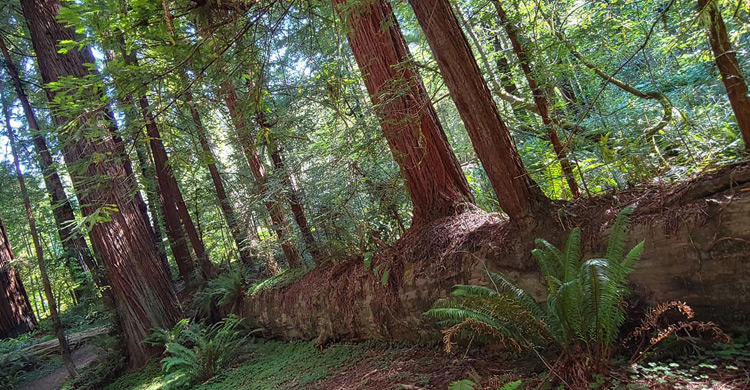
x=73, y=242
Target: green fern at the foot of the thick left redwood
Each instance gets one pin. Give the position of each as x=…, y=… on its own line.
x=197, y=353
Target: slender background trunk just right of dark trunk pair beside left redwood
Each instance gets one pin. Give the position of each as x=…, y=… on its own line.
x=235, y=227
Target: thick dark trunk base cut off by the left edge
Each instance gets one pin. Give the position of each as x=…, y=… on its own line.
x=16, y=317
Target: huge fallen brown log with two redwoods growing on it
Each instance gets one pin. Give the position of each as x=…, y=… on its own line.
x=697, y=249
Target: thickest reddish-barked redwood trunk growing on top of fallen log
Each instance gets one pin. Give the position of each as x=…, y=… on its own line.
x=436, y=184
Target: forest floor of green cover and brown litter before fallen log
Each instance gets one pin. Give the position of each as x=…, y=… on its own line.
x=375, y=366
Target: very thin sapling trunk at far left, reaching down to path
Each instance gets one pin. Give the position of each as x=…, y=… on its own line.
x=55, y=316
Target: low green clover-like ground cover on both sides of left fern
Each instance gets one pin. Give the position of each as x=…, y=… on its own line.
x=273, y=365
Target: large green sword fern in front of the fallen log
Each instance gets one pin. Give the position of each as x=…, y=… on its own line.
x=584, y=307
